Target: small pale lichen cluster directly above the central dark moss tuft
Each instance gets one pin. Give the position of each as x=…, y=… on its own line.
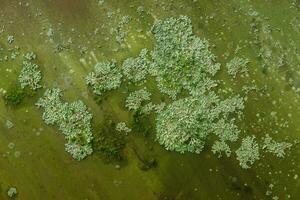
x=135, y=99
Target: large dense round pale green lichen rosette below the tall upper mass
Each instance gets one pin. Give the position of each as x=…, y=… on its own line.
x=178, y=128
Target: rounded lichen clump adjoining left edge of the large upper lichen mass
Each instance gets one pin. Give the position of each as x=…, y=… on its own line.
x=136, y=69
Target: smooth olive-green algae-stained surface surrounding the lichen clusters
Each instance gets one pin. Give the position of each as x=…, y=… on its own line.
x=43, y=170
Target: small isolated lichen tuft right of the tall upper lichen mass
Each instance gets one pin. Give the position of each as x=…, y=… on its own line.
x=237, y=66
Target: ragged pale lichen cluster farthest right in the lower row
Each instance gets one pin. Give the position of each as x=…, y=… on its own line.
x=276, y=148
